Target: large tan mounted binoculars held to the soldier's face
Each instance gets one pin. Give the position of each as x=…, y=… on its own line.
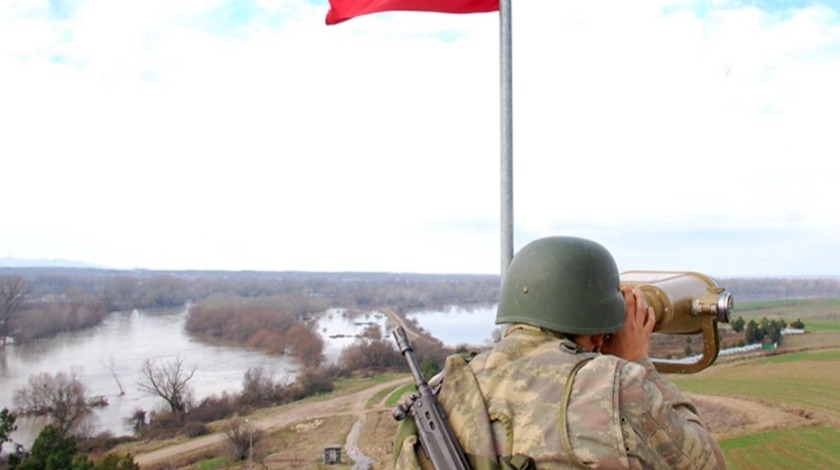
x=685, y=303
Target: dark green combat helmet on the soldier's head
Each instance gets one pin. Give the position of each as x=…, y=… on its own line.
x=564, y=284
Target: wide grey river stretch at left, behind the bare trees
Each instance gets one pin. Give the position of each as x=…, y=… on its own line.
x=122, y=343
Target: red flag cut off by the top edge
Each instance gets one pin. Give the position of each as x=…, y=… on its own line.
x=343, y=10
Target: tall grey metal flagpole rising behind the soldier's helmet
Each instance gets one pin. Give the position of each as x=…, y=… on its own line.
x=506, y=86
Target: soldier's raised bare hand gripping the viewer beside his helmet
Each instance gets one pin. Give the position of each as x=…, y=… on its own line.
x=632, y=342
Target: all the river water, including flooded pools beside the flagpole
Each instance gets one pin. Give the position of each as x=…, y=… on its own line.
x=116, y=349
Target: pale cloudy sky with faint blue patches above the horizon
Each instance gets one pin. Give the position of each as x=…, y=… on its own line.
x=247, y=135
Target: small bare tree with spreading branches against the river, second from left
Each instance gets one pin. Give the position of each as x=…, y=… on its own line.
x=168, y=381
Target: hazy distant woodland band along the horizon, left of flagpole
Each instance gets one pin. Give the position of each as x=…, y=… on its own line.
x=39, y=302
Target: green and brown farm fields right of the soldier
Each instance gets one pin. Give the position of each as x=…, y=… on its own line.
x=790, y=399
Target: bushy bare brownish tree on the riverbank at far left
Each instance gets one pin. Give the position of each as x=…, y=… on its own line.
x=62, y=397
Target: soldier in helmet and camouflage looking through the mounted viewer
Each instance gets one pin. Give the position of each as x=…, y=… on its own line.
x=570, y=384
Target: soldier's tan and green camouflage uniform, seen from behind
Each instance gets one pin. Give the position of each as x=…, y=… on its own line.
x=618, y=414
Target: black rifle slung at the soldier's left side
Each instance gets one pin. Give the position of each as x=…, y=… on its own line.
x=436, y=436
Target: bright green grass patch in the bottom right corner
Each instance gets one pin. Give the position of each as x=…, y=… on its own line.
x=810, y=447
